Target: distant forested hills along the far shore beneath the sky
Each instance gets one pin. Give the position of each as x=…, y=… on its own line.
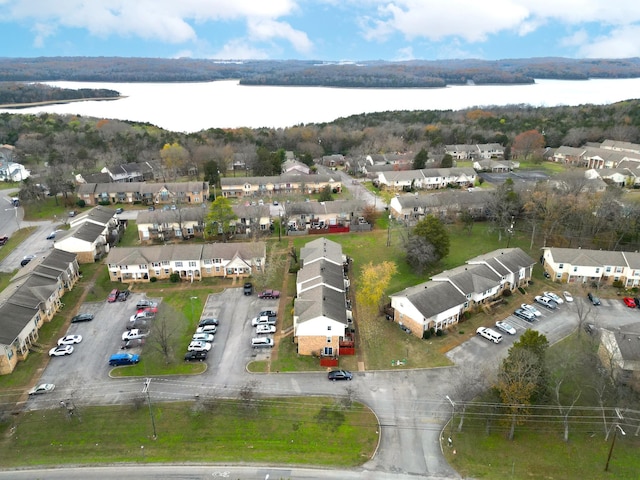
x=380, y=74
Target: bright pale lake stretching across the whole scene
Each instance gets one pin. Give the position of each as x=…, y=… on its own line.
x=191, y=107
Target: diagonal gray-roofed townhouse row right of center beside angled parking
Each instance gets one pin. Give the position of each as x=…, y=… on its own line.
x=440, y=302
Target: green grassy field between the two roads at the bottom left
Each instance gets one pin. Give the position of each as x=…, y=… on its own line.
x=312, y=431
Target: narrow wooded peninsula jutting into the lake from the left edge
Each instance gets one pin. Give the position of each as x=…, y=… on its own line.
x=14, y=94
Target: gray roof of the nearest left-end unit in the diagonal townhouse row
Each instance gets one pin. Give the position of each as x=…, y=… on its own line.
x=432, y=298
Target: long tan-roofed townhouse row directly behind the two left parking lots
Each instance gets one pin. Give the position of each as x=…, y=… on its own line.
x=191, y=262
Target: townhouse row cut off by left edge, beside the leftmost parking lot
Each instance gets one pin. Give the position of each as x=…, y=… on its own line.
x=32, y=298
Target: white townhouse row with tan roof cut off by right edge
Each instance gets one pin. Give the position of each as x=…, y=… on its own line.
x=578, y=265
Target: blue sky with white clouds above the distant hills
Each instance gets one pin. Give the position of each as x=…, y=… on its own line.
x=327, y=30
